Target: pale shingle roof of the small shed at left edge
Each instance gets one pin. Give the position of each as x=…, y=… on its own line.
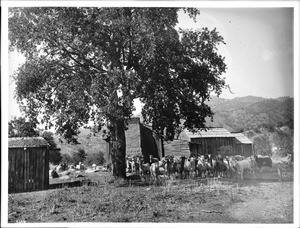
x=20, y=142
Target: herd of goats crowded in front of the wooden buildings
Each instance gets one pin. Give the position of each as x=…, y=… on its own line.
x=201, y=166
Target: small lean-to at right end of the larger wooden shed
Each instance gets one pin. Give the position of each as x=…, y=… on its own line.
x=242, y=145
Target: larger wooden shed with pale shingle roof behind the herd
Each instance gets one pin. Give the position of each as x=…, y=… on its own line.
x=212, y=141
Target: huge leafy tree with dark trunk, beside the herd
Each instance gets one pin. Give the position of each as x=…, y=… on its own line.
x=90, y=63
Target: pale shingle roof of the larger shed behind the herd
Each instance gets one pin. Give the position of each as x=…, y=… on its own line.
x=209, y=133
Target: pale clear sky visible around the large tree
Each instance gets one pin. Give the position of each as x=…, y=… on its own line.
x=258, y=52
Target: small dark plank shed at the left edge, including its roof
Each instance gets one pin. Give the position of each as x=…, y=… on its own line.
x=28, y=164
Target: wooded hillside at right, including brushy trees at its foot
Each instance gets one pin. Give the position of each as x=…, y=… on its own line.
x=268, y=123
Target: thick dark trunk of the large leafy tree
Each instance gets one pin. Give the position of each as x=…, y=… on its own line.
x=118, y=148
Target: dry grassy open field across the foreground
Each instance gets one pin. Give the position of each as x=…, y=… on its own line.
x=257, y=199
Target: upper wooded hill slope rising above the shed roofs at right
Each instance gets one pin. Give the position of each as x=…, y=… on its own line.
x=250, y=113
